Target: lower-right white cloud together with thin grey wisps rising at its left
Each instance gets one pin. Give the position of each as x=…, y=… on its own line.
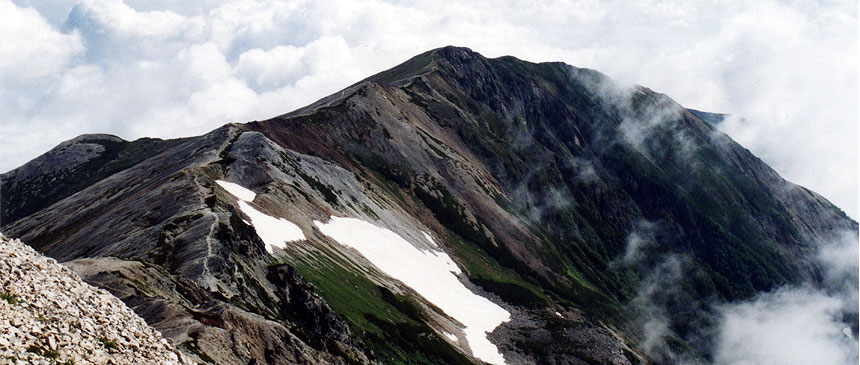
x=809, y=323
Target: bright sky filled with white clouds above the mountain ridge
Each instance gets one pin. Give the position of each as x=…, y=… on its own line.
x=785, y=70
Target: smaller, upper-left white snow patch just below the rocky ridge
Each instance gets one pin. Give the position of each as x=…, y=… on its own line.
x=273, y=231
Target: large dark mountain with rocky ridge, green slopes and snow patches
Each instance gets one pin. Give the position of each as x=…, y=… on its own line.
x=553, y=194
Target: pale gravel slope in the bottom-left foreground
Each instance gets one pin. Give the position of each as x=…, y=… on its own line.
x=48, y=315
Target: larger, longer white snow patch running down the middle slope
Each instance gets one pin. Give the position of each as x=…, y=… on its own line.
x=430, y=273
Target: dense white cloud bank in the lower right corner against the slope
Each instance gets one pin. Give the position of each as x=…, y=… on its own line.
x=798, y=325
